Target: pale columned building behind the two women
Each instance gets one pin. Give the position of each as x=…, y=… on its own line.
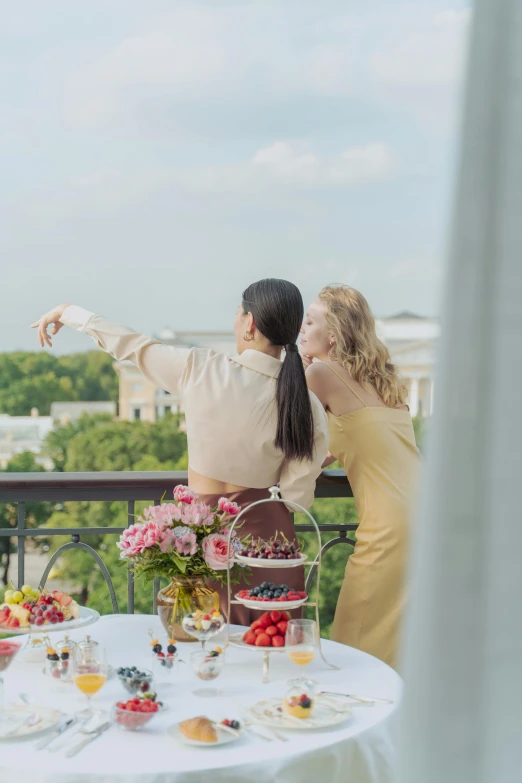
x=411, y=339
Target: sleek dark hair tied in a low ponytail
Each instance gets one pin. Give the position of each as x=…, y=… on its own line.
x=277, y=308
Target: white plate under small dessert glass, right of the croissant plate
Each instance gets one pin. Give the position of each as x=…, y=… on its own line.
x=326, y=713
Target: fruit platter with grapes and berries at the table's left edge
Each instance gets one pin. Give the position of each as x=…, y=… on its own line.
x=29, y=610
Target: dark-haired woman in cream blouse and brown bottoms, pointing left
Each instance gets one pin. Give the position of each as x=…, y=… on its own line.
x=251, y=421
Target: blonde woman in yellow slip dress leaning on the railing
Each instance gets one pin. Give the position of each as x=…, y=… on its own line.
x=371, y=434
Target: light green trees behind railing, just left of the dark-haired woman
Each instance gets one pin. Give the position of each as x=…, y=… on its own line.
x=98, y=444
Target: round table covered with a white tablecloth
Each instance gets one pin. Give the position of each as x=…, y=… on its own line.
x=360, y=750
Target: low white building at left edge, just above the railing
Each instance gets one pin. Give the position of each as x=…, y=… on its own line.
x=24, y=433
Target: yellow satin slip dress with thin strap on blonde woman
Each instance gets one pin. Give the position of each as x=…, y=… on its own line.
x=376, y=447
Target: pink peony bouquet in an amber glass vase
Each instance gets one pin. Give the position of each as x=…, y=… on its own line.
x=187, y=542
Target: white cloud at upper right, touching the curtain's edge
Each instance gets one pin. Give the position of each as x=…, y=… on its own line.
x=432, y=55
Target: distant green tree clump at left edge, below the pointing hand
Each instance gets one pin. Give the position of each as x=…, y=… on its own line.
x=35, y=380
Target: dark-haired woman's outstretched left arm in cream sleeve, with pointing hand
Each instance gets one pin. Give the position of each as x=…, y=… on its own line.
x=162, y=364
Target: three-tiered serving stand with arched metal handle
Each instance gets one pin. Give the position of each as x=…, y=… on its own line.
x=237, y=639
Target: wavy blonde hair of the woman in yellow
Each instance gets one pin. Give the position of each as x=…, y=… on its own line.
x=357, y=347
